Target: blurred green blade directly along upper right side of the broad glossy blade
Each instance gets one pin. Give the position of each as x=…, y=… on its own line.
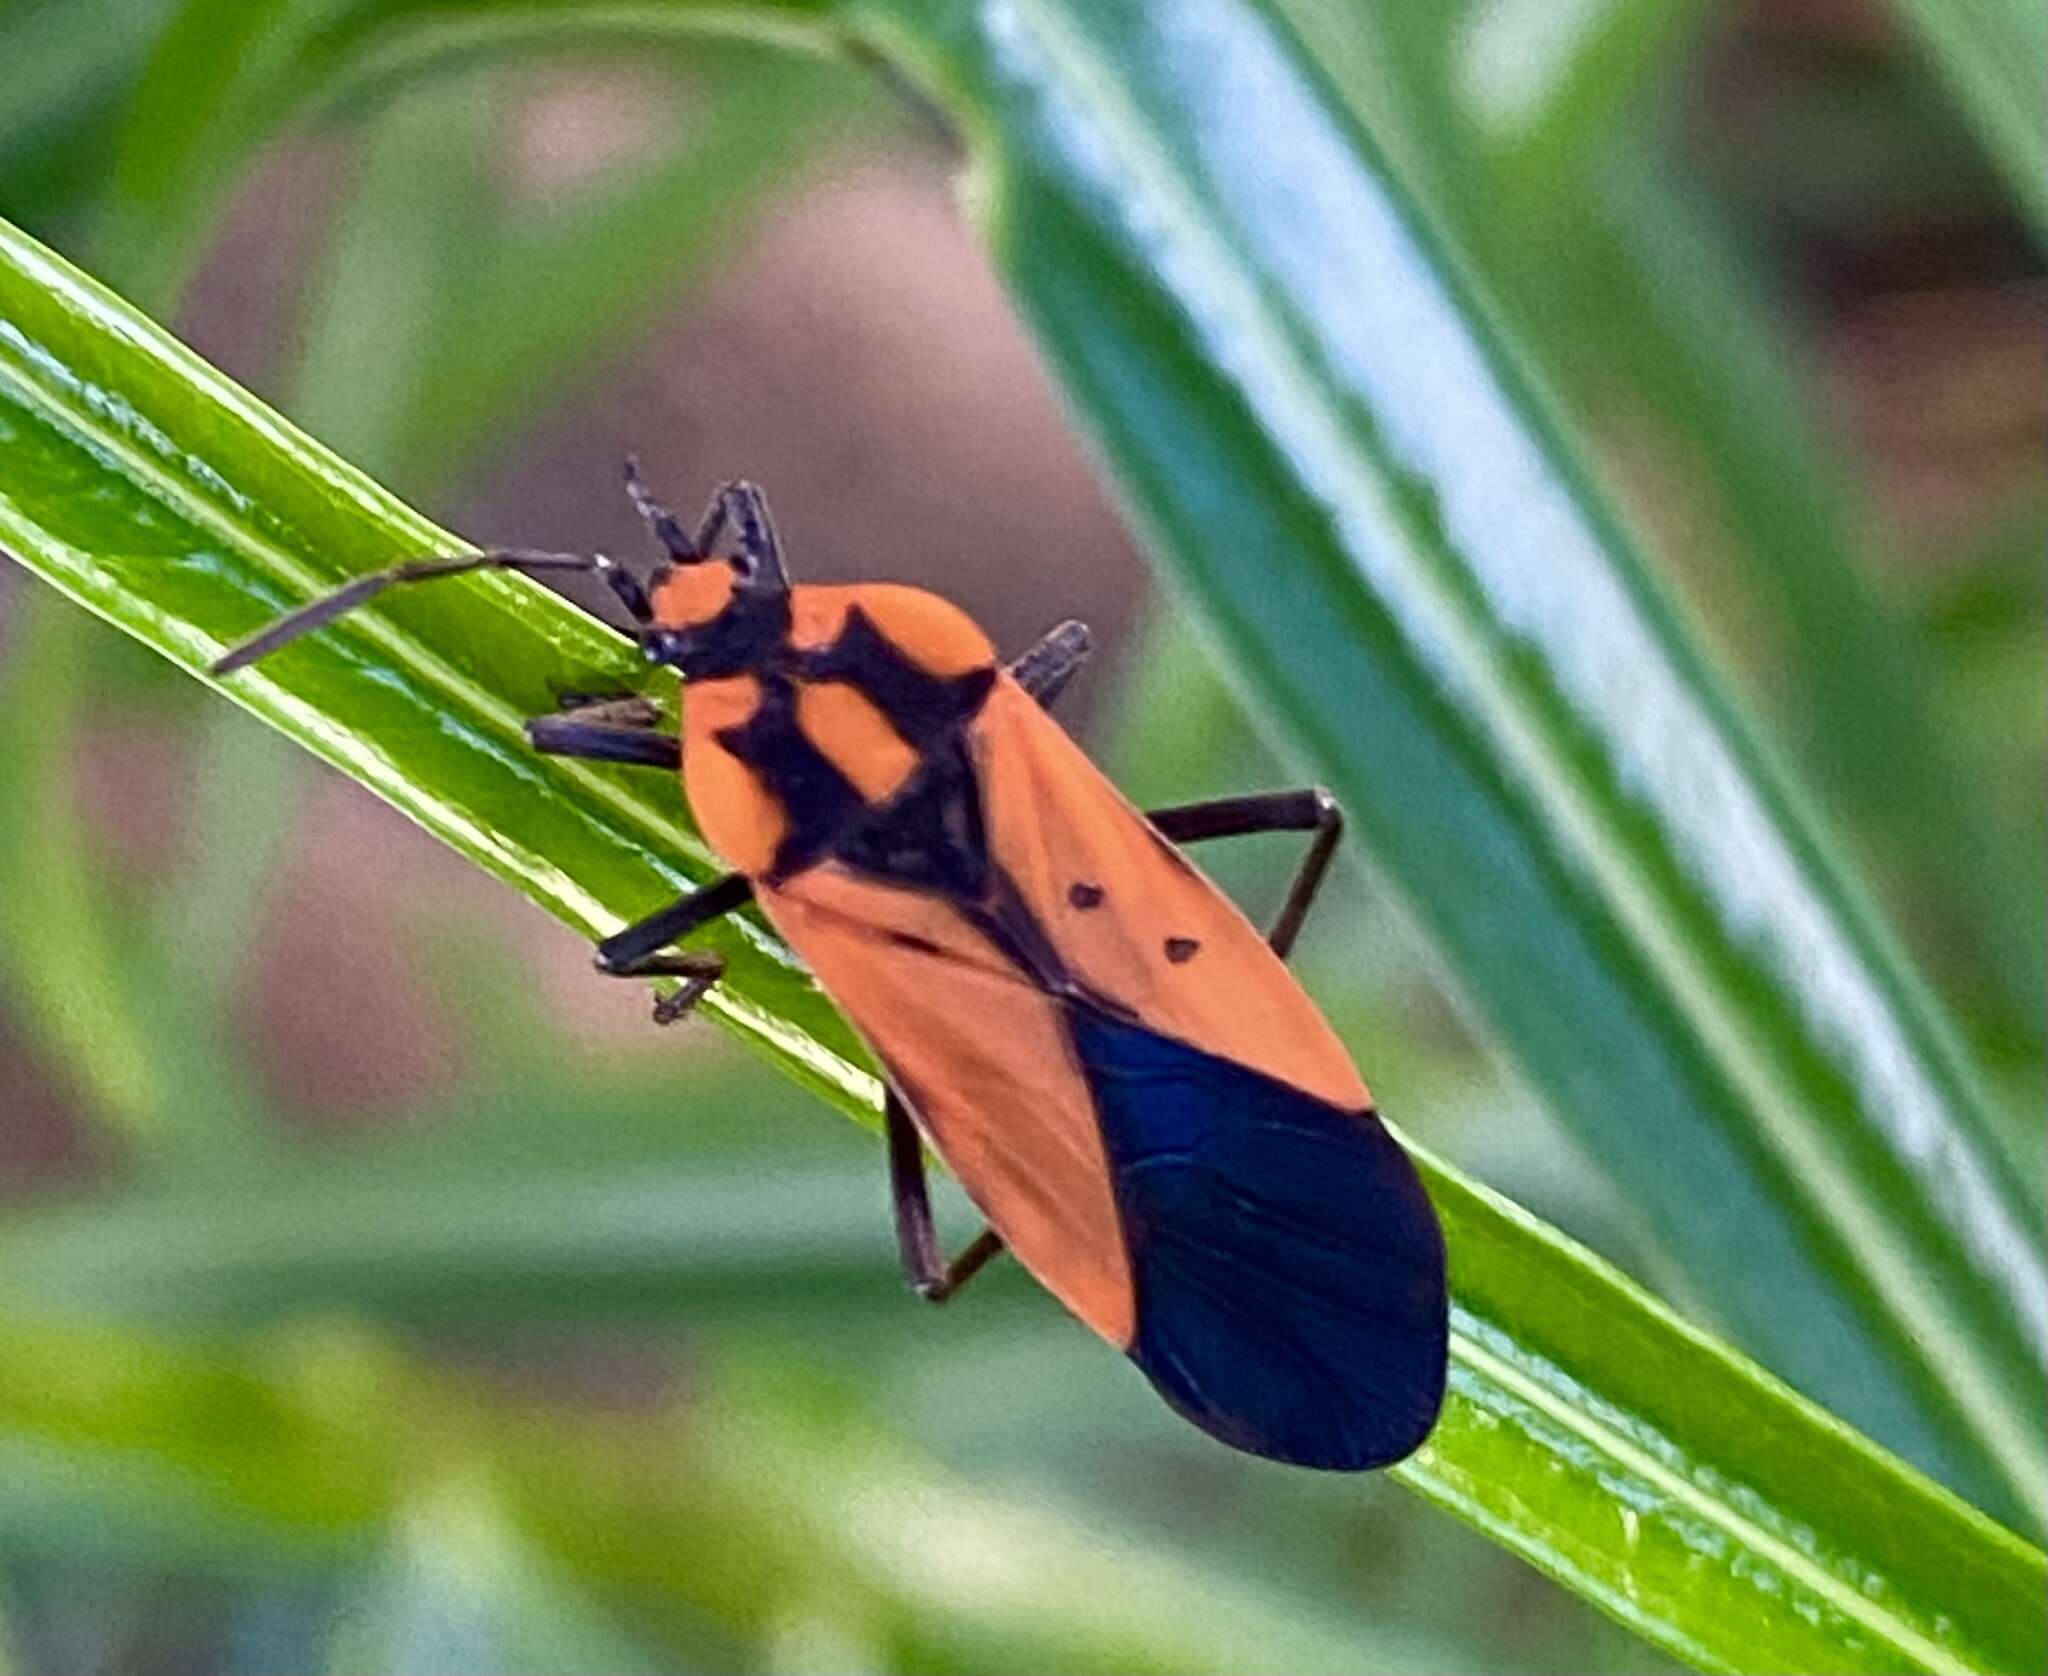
x=1627, y=294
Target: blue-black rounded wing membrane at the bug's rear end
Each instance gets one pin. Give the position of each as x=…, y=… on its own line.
x=1289, y=1265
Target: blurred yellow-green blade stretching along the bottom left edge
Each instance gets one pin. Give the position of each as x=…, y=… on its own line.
x=724, y=1511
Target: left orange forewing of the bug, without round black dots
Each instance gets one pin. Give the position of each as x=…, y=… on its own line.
x=982, y=1058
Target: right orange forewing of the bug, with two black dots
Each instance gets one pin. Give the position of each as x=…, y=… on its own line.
x=1134, y=917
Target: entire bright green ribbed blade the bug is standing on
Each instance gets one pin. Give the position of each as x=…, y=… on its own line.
x=177, y=507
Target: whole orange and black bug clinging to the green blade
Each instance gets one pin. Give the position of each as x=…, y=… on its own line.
x=1117, y=1066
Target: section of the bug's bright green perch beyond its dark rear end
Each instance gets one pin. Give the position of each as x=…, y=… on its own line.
x=1672, y=1456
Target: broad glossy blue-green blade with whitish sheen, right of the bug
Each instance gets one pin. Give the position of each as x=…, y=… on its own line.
x=1361, y=489
